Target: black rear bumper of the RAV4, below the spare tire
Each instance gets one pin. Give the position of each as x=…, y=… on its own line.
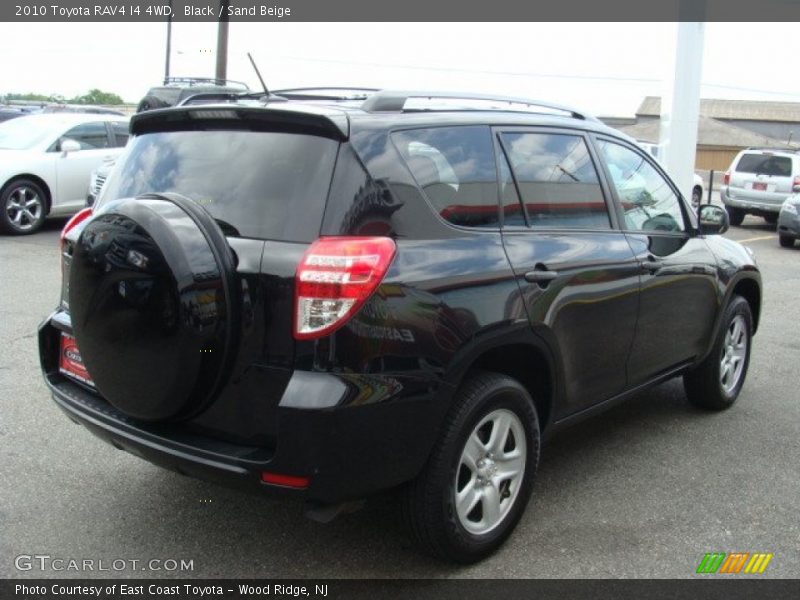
x=347, y=452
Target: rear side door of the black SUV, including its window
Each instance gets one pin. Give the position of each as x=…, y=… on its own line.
x=578, y=275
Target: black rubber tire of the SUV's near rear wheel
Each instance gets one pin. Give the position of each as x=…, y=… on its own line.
x=429, y=506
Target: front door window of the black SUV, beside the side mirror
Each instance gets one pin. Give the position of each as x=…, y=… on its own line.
x=647, y=199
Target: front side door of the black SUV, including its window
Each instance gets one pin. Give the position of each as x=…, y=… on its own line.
x=678, y=298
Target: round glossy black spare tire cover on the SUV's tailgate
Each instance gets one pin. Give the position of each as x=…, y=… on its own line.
x=150, y=300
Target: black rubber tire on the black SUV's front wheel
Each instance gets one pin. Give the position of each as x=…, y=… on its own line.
x=704, y=386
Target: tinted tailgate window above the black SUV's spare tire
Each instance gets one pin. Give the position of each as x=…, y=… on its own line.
x=255, y=184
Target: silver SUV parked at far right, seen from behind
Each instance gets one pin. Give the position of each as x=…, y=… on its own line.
x=758, y=181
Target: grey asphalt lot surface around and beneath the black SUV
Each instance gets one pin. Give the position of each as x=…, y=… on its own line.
x=644, y=490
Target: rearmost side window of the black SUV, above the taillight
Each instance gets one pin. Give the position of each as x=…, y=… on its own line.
x=455, y=168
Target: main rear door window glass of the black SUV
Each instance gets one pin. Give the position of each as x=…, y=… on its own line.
x=557, y=180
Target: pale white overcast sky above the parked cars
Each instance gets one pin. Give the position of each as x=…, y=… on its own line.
x=604, y=68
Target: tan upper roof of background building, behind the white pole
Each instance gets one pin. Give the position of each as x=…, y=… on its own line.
x=745, y=110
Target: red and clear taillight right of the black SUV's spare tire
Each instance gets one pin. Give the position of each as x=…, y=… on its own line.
x=334, y=279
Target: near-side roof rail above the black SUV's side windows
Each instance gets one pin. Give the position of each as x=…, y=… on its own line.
x=395, y=101
